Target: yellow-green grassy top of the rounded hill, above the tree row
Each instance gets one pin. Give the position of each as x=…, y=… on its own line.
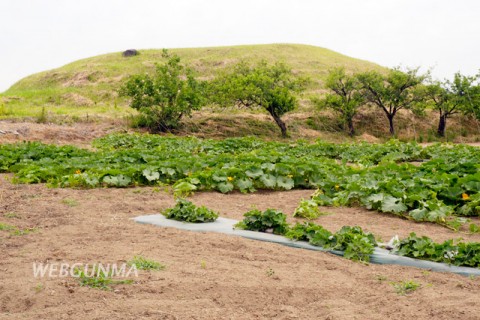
x=89, y=86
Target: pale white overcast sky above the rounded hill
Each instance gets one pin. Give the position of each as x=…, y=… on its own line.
x=38, y=35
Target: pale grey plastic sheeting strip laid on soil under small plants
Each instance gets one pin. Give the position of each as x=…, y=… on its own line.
x=225, y=226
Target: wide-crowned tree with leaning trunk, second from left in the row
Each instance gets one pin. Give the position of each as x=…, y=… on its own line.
x=270, y=87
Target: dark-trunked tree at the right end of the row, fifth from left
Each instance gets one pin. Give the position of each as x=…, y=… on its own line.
x=450, y=97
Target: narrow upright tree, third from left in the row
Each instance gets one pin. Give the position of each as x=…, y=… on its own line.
x=346, y=97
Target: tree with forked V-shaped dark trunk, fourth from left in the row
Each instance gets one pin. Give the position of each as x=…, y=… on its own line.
x=391, y=92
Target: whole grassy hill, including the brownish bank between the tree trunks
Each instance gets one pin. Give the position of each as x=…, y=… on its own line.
x=86, y=89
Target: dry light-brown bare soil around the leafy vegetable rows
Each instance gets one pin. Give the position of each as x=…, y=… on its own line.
x=207, y=275
